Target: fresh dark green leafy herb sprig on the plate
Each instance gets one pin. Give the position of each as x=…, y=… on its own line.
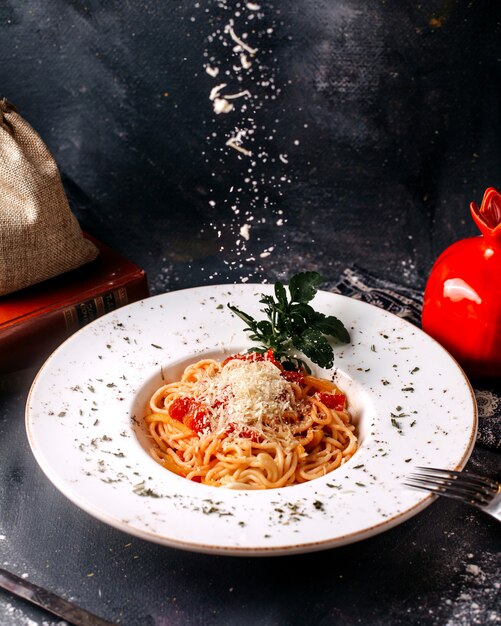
x=293, y=323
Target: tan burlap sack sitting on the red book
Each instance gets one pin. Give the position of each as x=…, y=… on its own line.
x=39, y=235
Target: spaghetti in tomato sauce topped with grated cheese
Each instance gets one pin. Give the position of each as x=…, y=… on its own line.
x=248, y=423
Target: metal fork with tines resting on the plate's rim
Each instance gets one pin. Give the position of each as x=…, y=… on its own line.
x=479, y=491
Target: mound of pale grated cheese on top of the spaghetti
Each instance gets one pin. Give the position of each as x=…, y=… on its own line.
x=250, y=395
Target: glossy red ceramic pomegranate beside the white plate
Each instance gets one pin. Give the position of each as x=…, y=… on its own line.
x=462, y=299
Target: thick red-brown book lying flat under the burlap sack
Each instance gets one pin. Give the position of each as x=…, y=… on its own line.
x=34, y=321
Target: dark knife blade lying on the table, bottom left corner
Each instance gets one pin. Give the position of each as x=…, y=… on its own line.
x=49, y=601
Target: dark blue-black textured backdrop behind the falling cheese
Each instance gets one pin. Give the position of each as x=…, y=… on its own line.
x=372, y=125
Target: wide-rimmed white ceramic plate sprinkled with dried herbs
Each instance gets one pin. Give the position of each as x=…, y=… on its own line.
x=412, y=403
